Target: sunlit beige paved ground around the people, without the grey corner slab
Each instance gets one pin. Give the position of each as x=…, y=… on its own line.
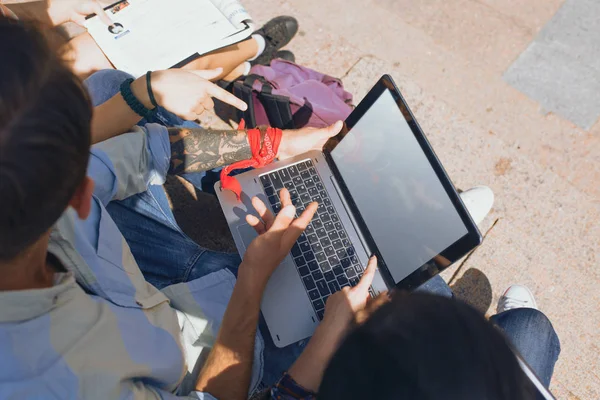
x=449, y=58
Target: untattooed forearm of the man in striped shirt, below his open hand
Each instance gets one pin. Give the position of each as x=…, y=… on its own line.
x=227, y=371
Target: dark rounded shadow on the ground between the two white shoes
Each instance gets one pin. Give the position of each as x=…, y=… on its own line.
x=474, y=288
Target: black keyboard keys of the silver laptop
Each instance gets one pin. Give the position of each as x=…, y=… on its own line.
x=324, y=256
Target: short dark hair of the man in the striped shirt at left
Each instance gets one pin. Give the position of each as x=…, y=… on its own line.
x=45, y=117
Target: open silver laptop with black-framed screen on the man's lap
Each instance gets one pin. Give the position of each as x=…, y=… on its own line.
x=381, y=190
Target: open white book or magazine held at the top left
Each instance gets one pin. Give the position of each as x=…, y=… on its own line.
x=149, y=35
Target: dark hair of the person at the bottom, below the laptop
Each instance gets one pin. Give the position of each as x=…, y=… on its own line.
x=425, y=347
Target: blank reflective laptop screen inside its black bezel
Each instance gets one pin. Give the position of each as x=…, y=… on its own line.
x=396, y=190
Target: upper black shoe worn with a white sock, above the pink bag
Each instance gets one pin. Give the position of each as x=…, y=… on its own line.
x=277, y=33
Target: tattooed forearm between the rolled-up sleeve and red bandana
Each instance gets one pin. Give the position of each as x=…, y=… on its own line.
x=197, y=150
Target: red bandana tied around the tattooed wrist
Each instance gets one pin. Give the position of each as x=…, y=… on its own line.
x=260, y=156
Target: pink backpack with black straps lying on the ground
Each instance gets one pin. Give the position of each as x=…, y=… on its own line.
x=288, y=96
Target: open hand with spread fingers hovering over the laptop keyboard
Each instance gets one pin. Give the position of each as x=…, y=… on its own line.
x=276, y=237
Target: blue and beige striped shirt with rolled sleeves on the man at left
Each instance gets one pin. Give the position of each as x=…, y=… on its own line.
x=102, y=331
